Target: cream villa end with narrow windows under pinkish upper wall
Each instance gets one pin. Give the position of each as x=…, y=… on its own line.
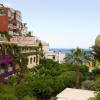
x=28, y=45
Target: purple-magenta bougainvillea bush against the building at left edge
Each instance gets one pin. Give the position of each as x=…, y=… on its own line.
x=7, y=66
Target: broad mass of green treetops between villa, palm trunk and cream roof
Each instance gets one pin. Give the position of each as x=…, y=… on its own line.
x=44, y=81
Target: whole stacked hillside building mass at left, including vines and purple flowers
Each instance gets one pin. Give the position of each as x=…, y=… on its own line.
x=18, y=49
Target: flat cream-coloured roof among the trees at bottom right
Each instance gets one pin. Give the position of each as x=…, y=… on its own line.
x=75, y=94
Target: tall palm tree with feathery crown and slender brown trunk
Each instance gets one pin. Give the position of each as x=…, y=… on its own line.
x=77, y=57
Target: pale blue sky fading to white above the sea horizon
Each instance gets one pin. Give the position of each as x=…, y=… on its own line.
x=61, y=23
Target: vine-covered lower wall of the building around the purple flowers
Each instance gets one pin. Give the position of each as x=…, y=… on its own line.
x=19, y=58
